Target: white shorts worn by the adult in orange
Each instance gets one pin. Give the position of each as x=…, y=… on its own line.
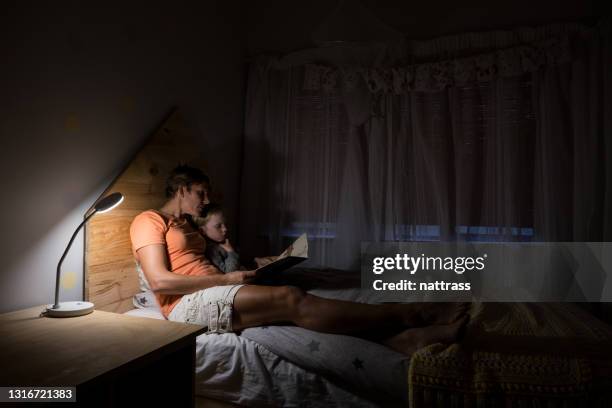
x=211, y=307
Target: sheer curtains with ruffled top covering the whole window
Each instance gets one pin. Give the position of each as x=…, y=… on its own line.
x=515, y=146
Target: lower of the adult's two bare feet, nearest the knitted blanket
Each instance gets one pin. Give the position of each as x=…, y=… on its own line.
x=410, y=340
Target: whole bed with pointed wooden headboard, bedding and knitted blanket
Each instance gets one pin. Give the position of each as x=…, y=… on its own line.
x=512, y=354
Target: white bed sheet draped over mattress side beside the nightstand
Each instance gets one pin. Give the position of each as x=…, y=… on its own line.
x=235, y=369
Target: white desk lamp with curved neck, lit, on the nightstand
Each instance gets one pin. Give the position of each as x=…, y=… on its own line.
x=79, y=308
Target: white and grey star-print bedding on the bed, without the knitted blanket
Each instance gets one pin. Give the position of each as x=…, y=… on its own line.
x=304, y=368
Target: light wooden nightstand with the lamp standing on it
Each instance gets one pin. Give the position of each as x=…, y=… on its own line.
x=111, y=359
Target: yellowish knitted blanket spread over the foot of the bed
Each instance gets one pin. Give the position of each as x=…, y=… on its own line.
x=515, y=355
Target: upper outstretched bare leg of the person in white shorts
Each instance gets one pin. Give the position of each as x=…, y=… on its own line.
x=258, y=305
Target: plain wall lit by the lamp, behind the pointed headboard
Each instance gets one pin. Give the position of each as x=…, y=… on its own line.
x=83, y=85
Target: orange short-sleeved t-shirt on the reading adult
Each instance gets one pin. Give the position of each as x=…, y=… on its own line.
x=185, y=247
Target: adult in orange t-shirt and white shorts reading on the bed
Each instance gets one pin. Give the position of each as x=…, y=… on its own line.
x=170, y=250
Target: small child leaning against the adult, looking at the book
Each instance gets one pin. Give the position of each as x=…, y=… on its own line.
x=219, y=250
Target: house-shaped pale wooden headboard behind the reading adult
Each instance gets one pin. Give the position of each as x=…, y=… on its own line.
x=110, y=278
